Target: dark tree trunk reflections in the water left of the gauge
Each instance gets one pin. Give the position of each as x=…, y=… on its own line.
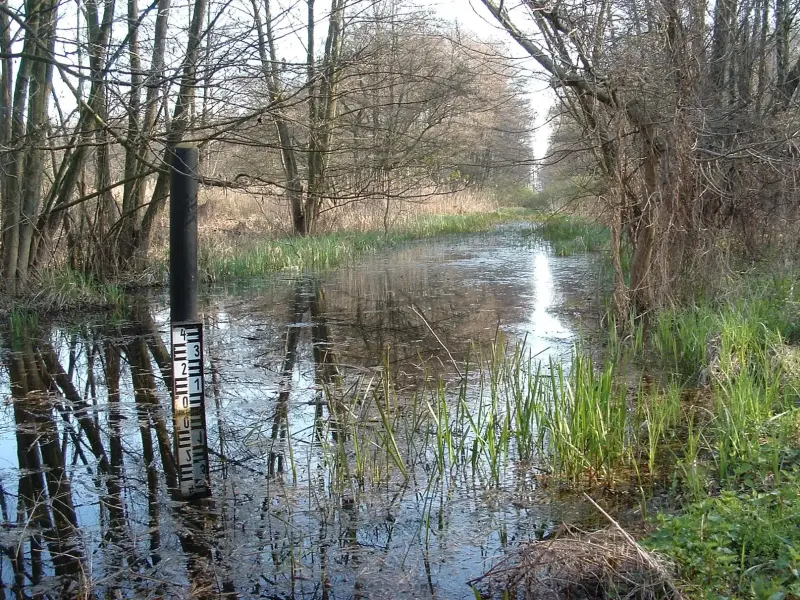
x=51, y=549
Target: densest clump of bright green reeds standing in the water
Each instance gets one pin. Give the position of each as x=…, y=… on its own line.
x=575, y=419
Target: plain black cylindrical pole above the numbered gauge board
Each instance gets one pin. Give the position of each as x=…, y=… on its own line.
x=183, y=233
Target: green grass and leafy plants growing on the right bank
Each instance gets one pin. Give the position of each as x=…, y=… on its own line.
x=741, y=440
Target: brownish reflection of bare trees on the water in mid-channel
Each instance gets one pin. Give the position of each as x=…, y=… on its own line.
x=394, y=311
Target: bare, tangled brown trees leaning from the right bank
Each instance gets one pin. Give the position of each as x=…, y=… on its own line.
x=692, y=144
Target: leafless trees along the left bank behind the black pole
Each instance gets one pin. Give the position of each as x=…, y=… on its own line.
x=323, y=104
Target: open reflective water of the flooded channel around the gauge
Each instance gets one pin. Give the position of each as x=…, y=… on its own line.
x=323, y=480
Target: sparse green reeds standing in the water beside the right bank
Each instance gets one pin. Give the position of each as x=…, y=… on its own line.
x=571, y=422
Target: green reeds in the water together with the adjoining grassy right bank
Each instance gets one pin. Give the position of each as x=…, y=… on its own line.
x=704, y=405
